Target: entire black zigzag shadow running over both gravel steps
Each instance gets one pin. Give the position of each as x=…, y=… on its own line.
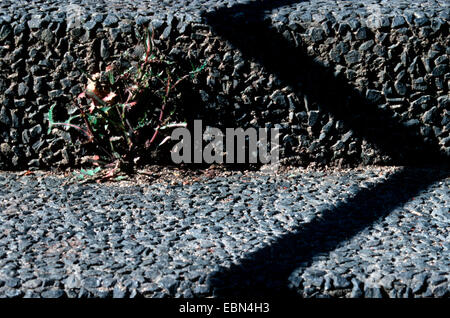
x=266, y=271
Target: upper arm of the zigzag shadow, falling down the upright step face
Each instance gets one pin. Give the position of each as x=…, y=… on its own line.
x=245, y=27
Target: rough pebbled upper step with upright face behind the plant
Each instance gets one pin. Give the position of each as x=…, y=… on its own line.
x=347, y=82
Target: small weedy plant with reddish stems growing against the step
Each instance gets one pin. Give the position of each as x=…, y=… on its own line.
x=127, y=111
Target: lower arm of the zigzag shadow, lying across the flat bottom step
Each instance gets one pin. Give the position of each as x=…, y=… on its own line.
x=266, y=271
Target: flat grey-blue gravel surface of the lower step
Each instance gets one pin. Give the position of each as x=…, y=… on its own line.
x=374, y=232
